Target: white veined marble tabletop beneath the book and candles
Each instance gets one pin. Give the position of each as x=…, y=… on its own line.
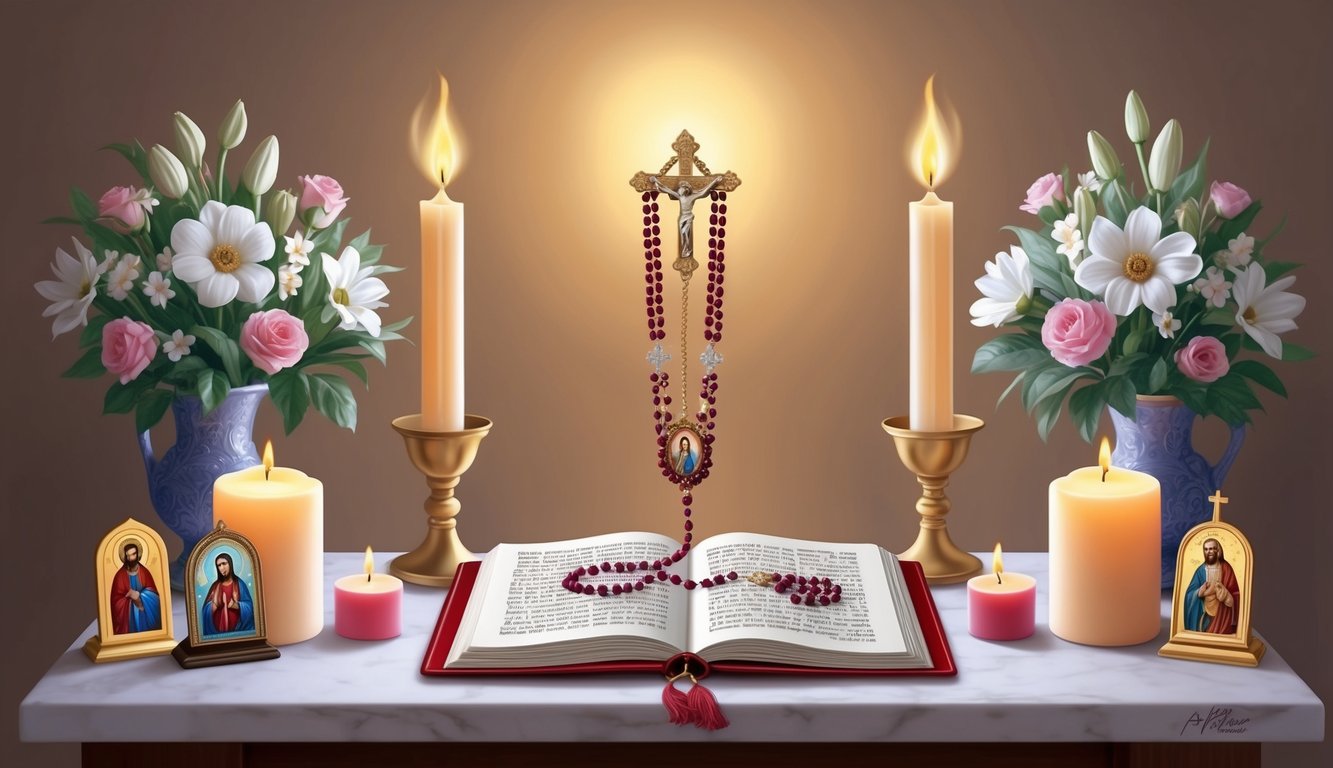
x=337, y=690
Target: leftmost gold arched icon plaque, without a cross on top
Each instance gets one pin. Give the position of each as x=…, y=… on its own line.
x=134, y=595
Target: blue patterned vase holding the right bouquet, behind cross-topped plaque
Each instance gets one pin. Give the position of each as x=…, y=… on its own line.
x=1160, y=442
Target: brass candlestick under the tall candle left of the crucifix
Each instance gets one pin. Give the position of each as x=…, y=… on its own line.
x=443, y=458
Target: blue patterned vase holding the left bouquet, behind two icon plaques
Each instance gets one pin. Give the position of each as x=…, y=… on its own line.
x=207, y=447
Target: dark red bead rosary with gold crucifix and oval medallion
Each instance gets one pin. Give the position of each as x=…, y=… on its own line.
x=684, y=446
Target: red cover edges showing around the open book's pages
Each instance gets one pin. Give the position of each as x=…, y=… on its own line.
x=451, y=615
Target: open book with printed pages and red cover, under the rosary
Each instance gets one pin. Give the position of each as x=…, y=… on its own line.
x=521, y=617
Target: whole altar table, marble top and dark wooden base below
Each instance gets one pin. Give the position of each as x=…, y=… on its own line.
x=337, y=702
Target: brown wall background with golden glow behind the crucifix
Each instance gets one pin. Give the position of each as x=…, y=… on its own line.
x=561, y=105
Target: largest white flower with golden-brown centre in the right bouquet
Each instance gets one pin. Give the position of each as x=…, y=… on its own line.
x=1132, y=267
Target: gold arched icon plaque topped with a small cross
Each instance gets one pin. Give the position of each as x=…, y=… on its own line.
x=1211, y=606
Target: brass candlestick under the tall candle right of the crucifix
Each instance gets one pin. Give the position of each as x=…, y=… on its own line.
x=932, y=457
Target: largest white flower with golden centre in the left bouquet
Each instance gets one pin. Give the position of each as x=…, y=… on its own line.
x=221, y=255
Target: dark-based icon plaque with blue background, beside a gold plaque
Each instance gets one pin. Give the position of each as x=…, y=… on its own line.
x=225, y=603
